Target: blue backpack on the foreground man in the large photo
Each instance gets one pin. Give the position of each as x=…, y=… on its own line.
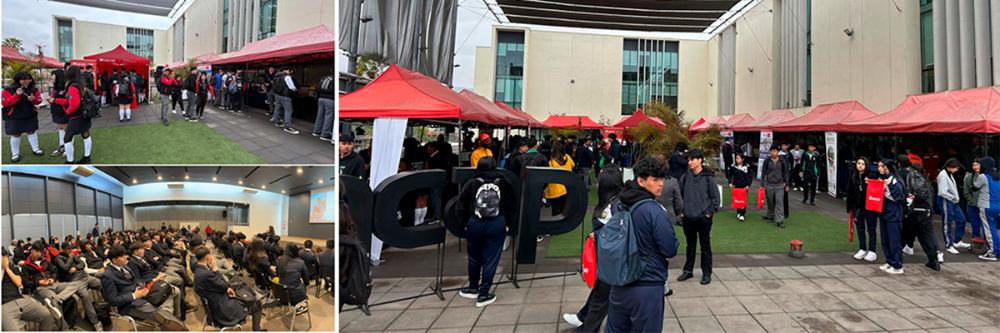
x=618, y=259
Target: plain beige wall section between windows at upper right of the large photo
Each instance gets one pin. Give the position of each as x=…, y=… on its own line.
x=879, y=66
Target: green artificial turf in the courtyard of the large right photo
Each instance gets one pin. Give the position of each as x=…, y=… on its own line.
x=818, y=232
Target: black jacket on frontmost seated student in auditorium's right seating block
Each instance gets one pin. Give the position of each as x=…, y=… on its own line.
x=212, y=287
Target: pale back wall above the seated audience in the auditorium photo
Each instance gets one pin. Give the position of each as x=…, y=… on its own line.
x=266, y=208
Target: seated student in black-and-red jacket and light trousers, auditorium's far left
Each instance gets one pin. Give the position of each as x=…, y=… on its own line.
x=37, y=279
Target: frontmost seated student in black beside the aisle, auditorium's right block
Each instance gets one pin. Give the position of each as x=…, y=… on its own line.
x=210, y=285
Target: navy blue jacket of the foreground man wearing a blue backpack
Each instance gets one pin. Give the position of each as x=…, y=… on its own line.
x=655, y=233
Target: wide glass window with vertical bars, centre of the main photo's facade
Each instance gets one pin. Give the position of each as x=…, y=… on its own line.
x=649, y=72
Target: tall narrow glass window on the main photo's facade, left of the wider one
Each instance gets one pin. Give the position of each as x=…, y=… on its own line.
x=510, y=68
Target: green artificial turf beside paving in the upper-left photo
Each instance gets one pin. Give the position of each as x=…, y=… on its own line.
x=151, y=143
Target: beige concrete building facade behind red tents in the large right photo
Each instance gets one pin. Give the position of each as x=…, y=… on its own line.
x=779, y=54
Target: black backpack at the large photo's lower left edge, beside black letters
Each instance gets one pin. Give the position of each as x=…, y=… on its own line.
x=355, y=273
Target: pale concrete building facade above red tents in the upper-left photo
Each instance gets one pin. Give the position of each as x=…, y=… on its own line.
x=205, y=26
